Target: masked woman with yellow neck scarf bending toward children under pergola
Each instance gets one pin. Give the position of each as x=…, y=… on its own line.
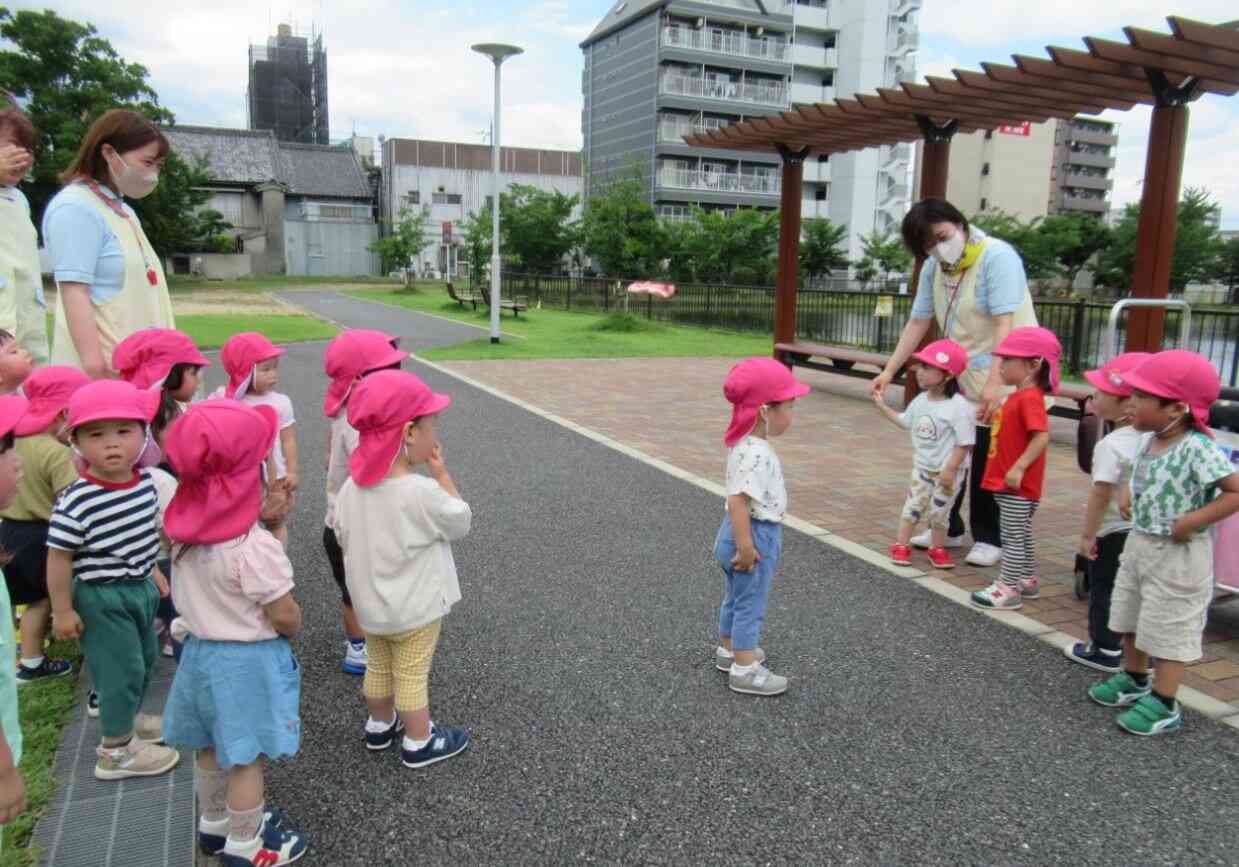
x=977, y=290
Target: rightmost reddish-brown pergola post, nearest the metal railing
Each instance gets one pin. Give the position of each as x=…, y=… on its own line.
x=1159, y=211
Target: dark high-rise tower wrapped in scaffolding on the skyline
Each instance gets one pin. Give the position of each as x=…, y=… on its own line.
x=288, y=87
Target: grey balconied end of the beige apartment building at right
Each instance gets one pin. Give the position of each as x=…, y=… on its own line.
x=1082, y=169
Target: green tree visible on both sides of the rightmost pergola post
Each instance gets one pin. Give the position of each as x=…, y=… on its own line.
x=1199, y=247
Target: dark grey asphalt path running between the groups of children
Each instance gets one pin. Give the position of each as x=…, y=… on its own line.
x=582, y=661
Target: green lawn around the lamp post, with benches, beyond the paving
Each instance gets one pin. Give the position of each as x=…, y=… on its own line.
x=557, y=334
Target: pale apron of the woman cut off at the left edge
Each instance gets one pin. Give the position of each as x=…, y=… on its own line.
x=23, y=313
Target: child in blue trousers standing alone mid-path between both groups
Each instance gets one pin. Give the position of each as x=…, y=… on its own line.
x=748, y=547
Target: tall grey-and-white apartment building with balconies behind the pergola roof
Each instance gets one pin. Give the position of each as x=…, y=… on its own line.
x=660, y=70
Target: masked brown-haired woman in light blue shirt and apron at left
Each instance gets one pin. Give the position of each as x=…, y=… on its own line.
x=111, y=282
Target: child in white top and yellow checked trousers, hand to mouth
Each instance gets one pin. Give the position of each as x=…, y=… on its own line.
x=397, y=528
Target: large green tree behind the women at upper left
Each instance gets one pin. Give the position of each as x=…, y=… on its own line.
x=68, y=76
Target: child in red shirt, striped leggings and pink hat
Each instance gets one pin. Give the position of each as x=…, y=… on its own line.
x=1017, y=465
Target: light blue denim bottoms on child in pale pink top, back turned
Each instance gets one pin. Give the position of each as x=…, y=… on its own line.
x=242, y=699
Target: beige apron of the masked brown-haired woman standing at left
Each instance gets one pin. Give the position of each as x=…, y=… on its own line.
x=138, y=305
